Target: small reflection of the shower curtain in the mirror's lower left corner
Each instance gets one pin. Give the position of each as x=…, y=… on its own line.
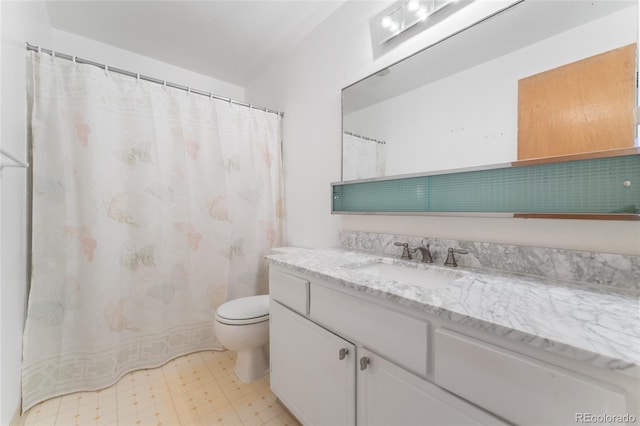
x=362, y=158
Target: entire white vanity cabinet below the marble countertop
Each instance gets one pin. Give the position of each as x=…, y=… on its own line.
x=404, y=366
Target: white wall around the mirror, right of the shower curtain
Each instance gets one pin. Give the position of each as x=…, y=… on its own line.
x=306, y=84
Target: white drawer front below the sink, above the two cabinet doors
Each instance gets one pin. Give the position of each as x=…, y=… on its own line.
x=393, y=335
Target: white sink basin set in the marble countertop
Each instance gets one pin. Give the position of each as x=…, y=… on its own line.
x=426, y=277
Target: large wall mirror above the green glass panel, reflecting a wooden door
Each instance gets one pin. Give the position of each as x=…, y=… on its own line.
x=458, y=103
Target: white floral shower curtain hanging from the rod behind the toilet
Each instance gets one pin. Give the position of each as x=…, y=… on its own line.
x=151, y=207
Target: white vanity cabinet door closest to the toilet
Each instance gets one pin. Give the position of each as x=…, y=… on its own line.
x=312, y=370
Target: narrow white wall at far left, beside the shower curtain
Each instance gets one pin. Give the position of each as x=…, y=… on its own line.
x=21, y=22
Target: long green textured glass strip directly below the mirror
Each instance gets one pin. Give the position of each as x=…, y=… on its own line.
x=585, y=186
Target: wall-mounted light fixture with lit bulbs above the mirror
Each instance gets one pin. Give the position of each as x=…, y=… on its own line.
x=407, y=14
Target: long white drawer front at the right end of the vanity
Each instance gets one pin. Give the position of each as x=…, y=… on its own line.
x=517, y=388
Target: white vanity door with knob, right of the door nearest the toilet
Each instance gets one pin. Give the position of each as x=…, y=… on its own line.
x=389, y=395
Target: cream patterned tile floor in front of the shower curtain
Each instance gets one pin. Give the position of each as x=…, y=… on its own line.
x=196, y=389
